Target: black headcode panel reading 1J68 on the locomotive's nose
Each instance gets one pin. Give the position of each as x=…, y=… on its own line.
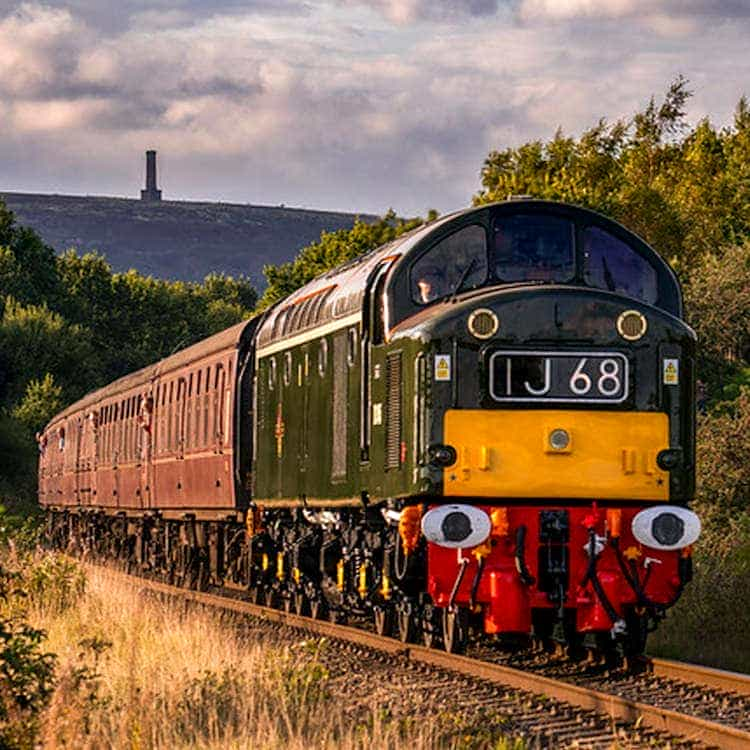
x=562, y=377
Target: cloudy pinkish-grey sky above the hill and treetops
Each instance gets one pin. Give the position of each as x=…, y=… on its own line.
x=352, y=105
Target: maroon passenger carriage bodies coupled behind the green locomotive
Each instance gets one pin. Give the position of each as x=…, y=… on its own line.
x=164, y=437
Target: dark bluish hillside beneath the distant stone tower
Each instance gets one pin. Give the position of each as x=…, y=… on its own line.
x=175, y=239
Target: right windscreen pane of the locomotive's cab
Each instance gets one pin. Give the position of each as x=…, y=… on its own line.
x=611, y=264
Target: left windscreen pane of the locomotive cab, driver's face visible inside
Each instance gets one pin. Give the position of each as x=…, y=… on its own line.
x=457, y=262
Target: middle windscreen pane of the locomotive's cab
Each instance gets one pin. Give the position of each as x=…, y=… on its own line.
x=533, y=247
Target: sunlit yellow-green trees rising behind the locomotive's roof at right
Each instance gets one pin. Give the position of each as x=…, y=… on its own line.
x=684, y=190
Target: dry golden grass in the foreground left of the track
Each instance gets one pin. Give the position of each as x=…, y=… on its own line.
x=136, y=672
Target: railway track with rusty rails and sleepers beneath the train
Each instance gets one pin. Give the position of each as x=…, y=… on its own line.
x=669, y=704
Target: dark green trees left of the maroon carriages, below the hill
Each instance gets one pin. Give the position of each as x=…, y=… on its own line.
x=68, y=324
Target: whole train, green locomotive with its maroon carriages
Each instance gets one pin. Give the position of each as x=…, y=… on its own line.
x=485, y=426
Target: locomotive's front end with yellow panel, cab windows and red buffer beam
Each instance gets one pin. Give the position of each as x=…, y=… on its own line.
x=558, y=455
